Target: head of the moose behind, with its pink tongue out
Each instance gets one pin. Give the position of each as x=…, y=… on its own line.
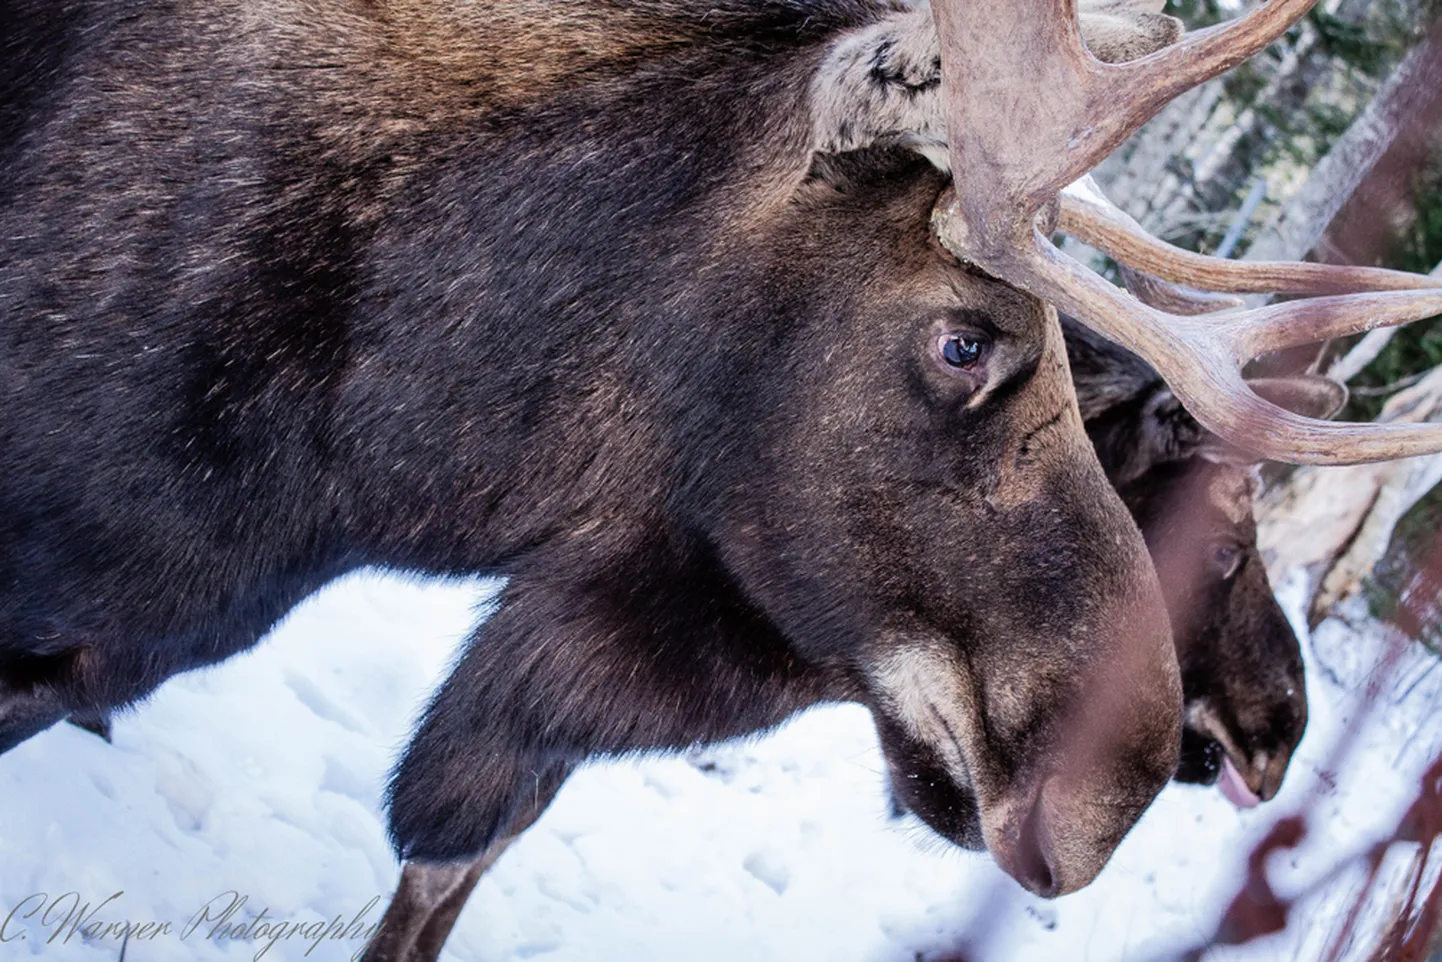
x=1192, y=494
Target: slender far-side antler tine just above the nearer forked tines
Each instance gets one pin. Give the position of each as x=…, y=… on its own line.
x=1091, y=217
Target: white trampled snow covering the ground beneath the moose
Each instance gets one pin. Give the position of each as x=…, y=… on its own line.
x=255, y=788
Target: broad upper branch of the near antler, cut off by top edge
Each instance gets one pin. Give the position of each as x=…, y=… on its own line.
x=1017, y=138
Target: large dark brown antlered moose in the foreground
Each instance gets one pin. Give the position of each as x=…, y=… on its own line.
x=712, y=325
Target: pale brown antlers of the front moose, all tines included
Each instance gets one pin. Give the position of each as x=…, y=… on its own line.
x=1019, y=138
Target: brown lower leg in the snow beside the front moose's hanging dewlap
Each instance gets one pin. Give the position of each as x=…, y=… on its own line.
x=430, y=898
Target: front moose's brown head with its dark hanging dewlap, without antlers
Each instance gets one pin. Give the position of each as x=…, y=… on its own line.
x=947, y=552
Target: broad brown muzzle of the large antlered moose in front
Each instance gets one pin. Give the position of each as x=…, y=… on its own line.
x=1042, y=751
